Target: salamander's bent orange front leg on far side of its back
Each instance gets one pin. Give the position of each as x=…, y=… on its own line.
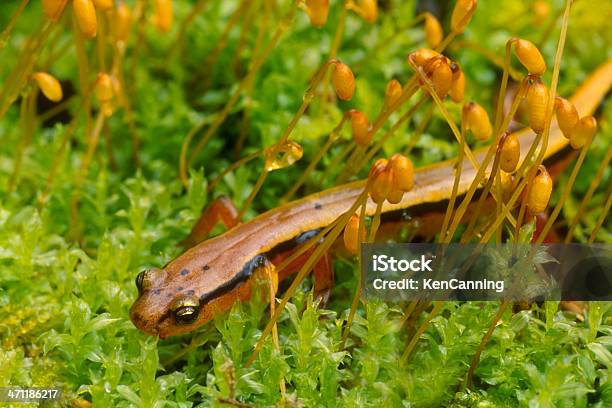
x=220, y=209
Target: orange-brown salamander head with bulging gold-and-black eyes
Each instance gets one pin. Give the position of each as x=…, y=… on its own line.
x=164, y=308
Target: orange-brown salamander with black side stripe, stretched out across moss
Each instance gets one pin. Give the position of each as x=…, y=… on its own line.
x=209, y=277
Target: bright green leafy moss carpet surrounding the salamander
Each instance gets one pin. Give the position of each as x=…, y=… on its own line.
x=64, y=302
